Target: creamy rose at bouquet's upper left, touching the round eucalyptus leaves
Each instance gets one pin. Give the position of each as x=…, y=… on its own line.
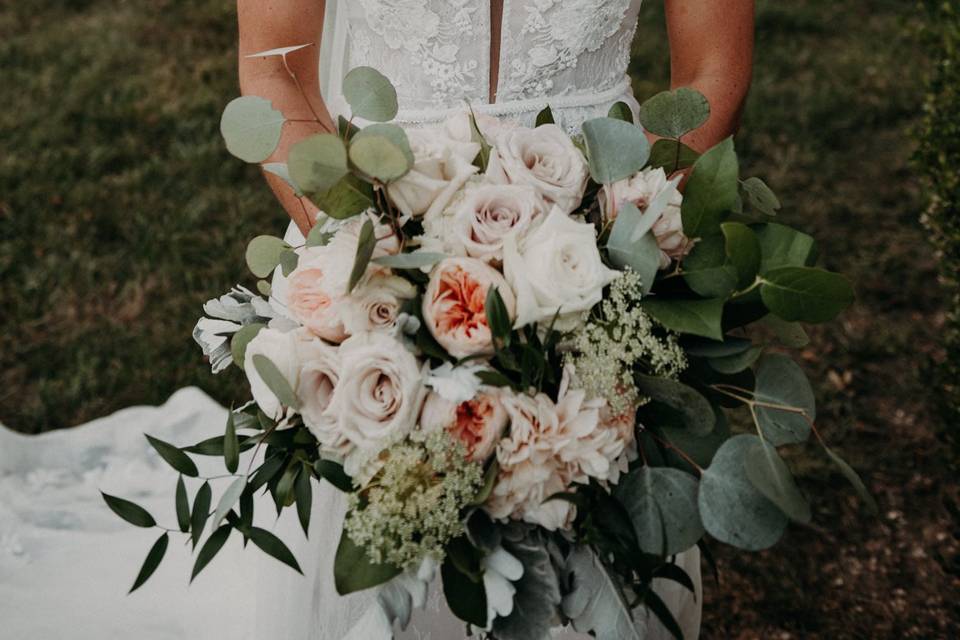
x=441, y=166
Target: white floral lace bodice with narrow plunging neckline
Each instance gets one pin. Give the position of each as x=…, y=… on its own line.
x=570, y=54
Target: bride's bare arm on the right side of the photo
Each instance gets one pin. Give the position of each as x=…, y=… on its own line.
x=711, y=50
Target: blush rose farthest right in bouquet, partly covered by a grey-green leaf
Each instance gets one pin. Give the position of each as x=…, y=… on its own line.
x=641, y=190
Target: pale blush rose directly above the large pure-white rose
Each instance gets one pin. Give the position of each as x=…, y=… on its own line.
x=546, y=159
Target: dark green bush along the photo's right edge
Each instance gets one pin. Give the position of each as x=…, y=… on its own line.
x=938, y=158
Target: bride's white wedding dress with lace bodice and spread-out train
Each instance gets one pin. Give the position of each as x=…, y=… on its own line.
x=66, y=561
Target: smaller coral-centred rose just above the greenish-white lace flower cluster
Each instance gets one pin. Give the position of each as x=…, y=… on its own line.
x=478, y=423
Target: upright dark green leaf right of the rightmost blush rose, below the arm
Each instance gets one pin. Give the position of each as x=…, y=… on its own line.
x=711, y=190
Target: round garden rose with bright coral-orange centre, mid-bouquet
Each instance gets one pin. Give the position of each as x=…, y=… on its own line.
x=454, y=305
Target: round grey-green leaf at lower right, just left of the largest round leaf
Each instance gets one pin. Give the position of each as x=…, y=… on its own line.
x=662, y=502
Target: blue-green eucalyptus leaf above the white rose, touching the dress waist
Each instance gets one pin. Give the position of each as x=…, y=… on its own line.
x=615, y=149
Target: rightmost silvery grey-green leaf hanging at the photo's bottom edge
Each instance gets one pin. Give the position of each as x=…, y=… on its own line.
x=596, y=604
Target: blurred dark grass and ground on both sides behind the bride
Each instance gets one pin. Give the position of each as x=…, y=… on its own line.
x=121, y=213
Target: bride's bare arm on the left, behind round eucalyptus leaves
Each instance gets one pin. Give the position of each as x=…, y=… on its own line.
x=269, y=24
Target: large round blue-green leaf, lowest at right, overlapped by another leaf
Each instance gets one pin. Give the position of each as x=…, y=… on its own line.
x=731, y=508
